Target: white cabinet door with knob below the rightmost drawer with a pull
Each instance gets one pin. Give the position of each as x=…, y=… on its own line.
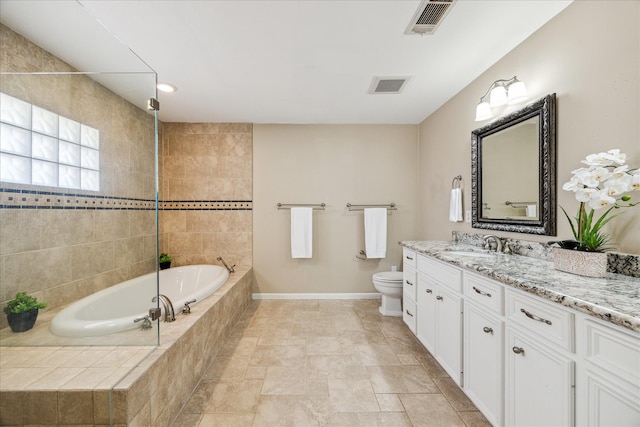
x=539, y=383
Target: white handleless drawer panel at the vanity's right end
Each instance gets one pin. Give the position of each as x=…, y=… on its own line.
x=615, y=351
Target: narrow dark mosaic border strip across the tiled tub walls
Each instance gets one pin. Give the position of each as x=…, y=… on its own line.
x=33, y=199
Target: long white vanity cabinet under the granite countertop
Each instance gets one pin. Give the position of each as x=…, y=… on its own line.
x=524, y=360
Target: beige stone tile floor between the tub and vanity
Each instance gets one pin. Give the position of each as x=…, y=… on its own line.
x=325, y=363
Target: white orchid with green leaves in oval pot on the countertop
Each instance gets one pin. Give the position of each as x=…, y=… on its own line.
x=603, y=184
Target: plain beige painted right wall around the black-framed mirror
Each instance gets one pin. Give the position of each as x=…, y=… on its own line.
x=590, y=56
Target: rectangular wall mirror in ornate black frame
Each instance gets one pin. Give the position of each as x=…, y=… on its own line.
x=513, y=171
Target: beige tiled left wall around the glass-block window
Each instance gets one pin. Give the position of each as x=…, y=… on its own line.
x=54, y=251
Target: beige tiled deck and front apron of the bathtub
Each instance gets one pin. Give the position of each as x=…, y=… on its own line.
x=71, y=386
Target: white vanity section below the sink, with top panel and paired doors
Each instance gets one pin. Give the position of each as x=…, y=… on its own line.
x=439, y=319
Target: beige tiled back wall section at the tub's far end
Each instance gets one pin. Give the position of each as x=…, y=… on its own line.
x=209, y=163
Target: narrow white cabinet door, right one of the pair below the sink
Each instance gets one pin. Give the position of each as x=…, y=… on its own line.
x=449, y=333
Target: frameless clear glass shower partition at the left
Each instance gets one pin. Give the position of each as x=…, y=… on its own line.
x=78, y=209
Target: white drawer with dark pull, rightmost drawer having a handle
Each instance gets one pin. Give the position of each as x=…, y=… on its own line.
x=549, y=321
